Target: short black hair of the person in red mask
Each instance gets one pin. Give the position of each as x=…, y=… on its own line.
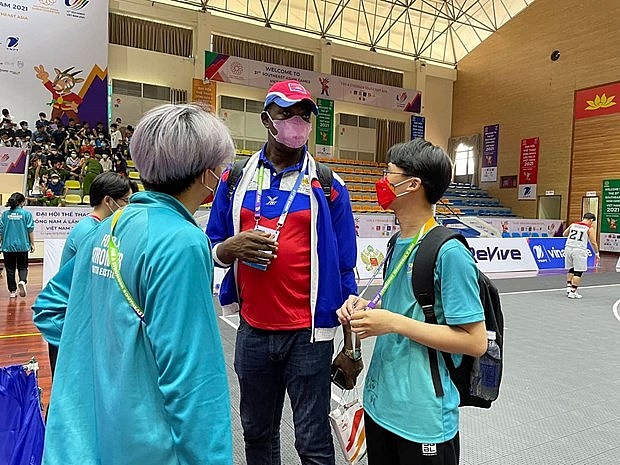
x=426, y=161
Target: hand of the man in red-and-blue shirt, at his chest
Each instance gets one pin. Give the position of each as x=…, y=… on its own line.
x=251, y=246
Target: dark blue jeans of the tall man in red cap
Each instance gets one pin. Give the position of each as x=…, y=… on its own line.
x=270, y=363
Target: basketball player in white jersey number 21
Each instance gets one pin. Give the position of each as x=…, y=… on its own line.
x=576, y=252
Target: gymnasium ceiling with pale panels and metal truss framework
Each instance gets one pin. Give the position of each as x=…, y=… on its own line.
x=440, y=31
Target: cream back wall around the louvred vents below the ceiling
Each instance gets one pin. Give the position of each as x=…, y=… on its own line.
x=126, y=63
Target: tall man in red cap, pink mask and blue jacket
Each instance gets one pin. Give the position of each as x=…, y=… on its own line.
x=291, y=253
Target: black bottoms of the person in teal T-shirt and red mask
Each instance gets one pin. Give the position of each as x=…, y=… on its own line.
x=387, y=448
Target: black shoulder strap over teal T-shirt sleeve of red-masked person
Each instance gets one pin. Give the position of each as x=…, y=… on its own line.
x=423, y=282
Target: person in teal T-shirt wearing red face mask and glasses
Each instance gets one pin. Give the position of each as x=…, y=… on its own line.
x=406, y=423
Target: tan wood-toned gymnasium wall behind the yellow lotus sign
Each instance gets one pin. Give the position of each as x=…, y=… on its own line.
x=509, y=79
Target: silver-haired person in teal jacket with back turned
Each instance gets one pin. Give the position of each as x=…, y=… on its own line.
x=140, y=376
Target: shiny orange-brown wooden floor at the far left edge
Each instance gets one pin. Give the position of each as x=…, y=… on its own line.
x=19, y=338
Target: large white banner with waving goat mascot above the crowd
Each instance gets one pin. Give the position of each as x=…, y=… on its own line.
x=54, y=59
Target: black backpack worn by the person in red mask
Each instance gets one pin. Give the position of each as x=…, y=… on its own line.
x=424, y=291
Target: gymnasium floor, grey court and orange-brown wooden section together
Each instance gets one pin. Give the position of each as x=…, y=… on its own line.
x=559, y=402
